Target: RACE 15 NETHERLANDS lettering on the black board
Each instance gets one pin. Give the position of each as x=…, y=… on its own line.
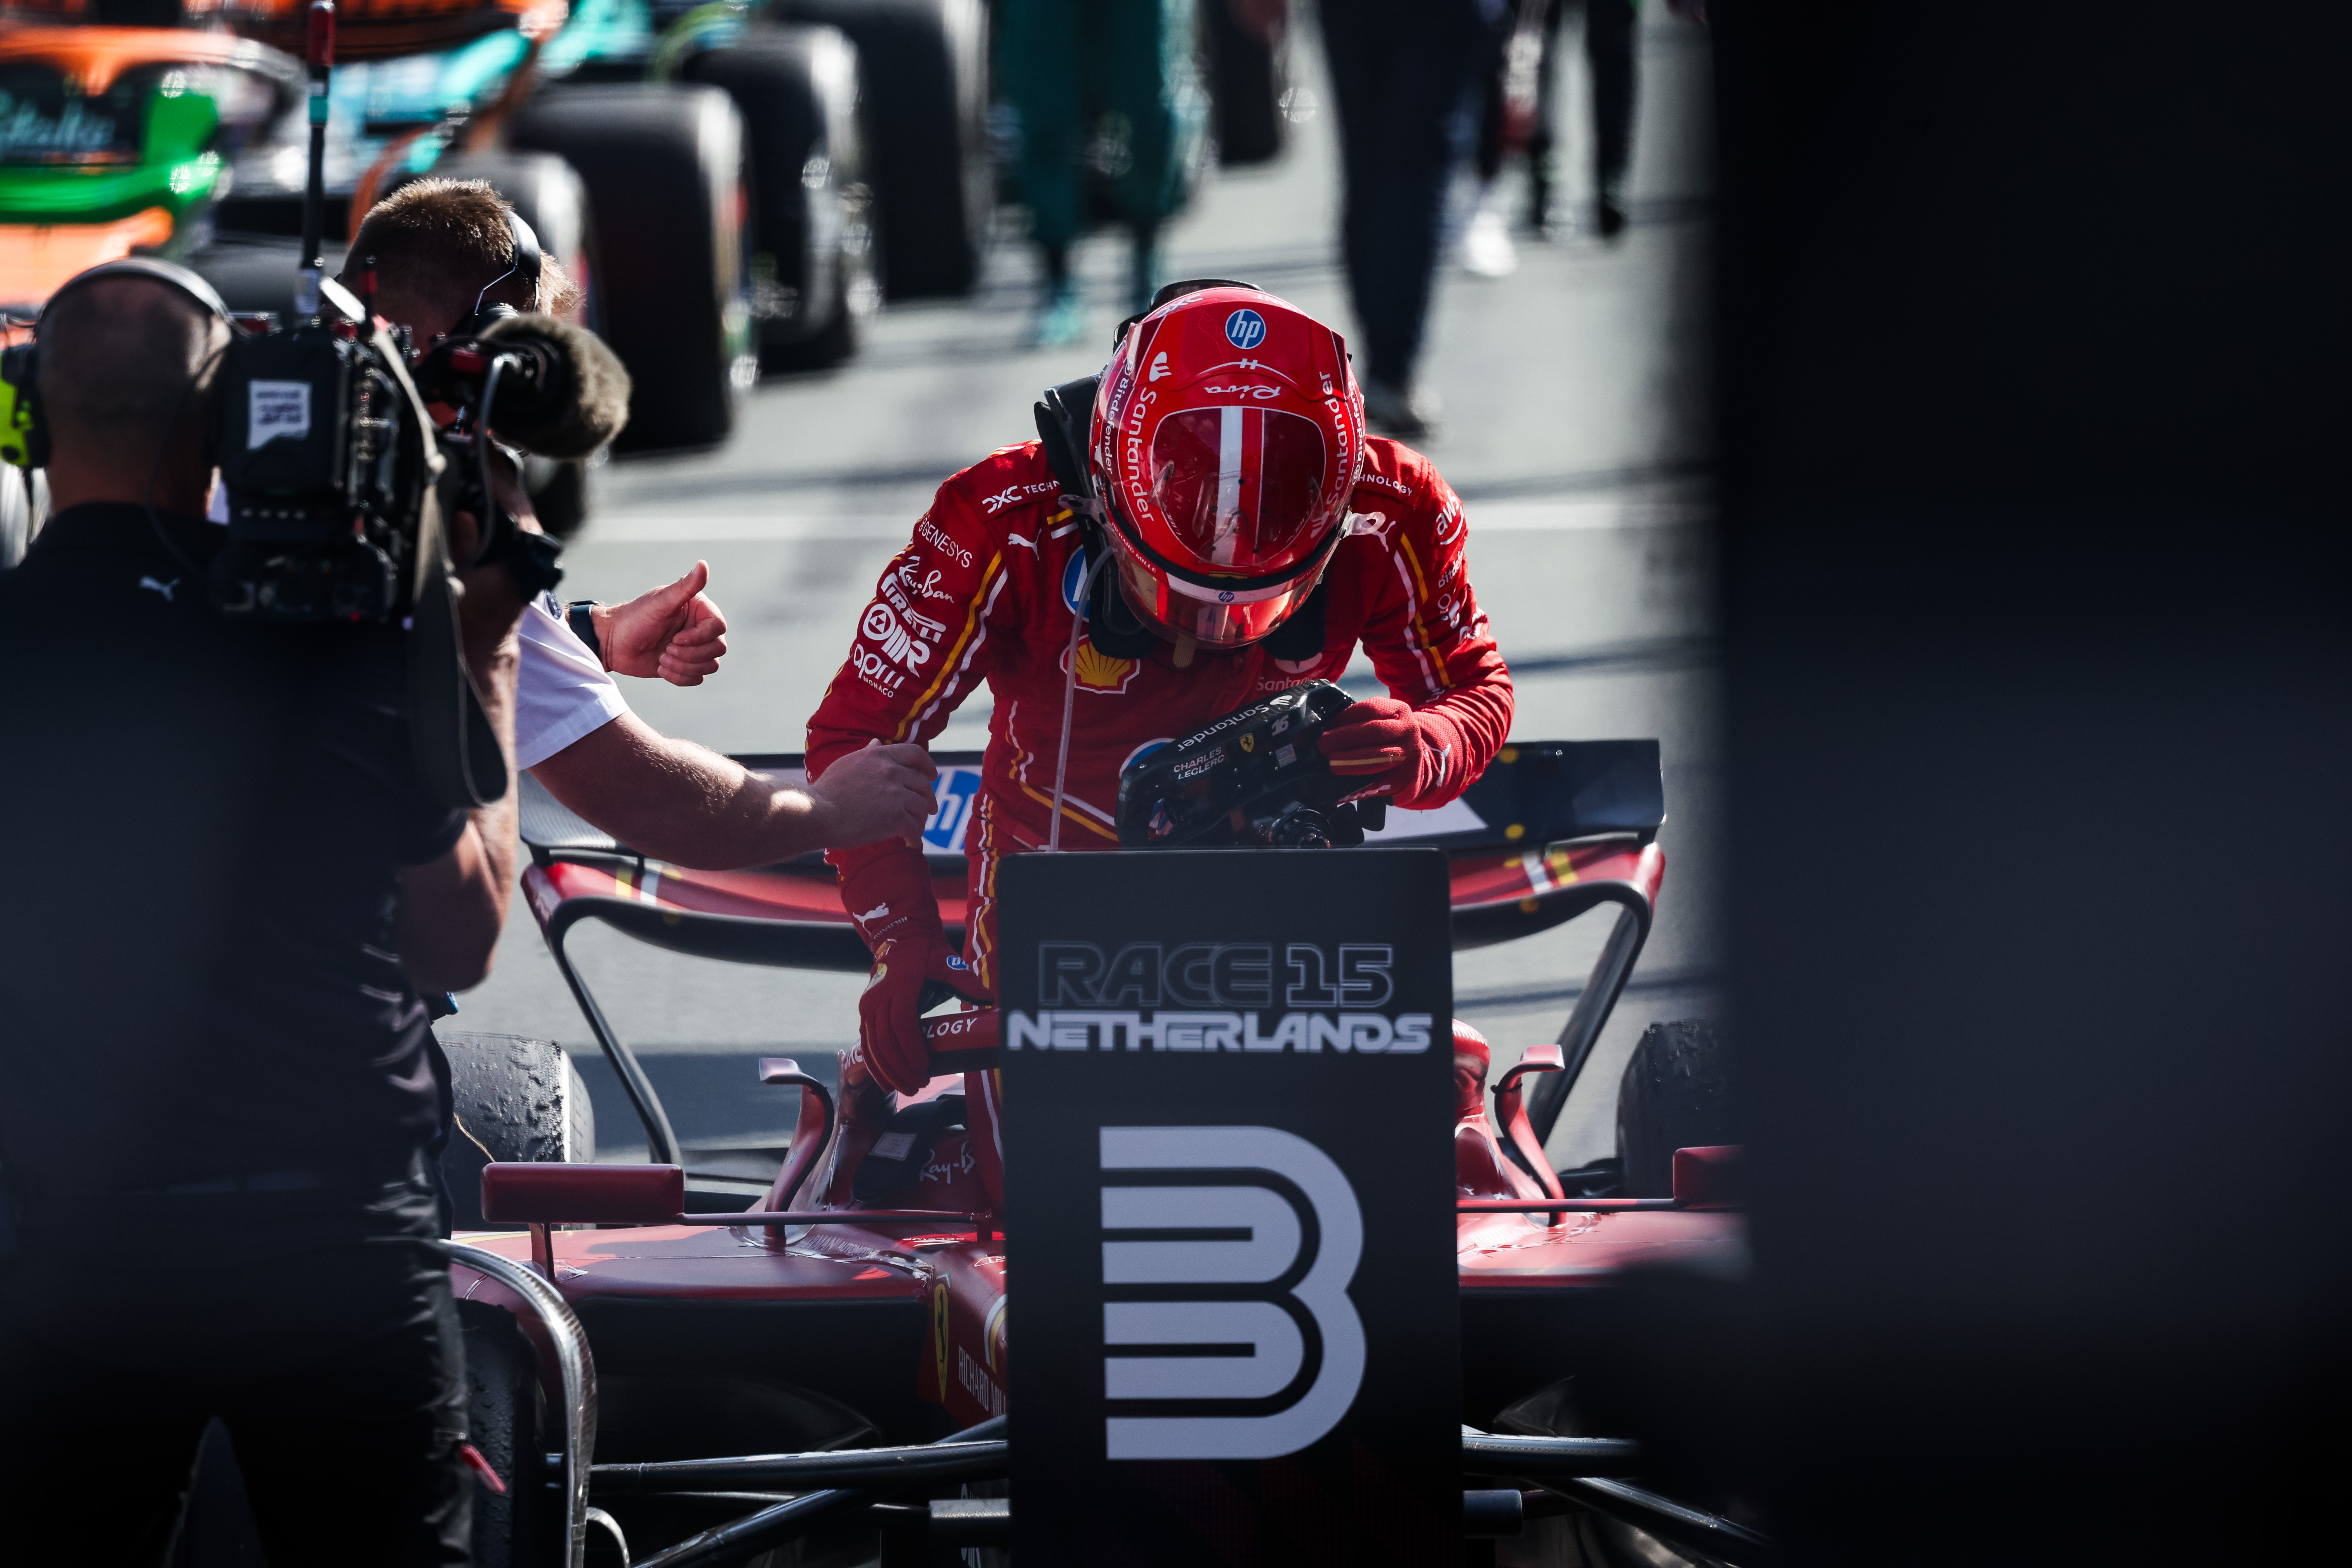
x=1217, y=998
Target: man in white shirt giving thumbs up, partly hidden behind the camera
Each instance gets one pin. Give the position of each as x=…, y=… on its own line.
x=443, y=253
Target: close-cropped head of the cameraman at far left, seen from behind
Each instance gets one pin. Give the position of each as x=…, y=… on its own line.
x=126, y=391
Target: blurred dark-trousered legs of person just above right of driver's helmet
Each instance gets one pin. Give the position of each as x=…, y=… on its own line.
x=1410, y=79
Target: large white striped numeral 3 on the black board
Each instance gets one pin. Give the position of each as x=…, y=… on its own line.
x=1243, y=1259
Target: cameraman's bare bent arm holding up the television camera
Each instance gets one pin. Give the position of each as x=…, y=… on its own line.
x=453, y=909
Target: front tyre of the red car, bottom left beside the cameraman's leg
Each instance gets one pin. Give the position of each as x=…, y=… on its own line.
x=509, y=1426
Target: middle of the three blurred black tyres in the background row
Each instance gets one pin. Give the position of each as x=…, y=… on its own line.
x=813, y=250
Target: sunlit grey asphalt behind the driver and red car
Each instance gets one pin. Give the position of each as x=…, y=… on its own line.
x=1577, y=431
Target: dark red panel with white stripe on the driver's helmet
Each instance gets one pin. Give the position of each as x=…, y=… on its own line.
x=1238, y=485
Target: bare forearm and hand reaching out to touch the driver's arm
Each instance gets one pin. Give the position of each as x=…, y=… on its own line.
x=688, y=805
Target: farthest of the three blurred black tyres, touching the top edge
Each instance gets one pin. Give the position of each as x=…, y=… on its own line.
x=926, y=74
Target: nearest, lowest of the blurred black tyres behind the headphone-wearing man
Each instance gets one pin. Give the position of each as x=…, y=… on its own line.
x=667, y=199
